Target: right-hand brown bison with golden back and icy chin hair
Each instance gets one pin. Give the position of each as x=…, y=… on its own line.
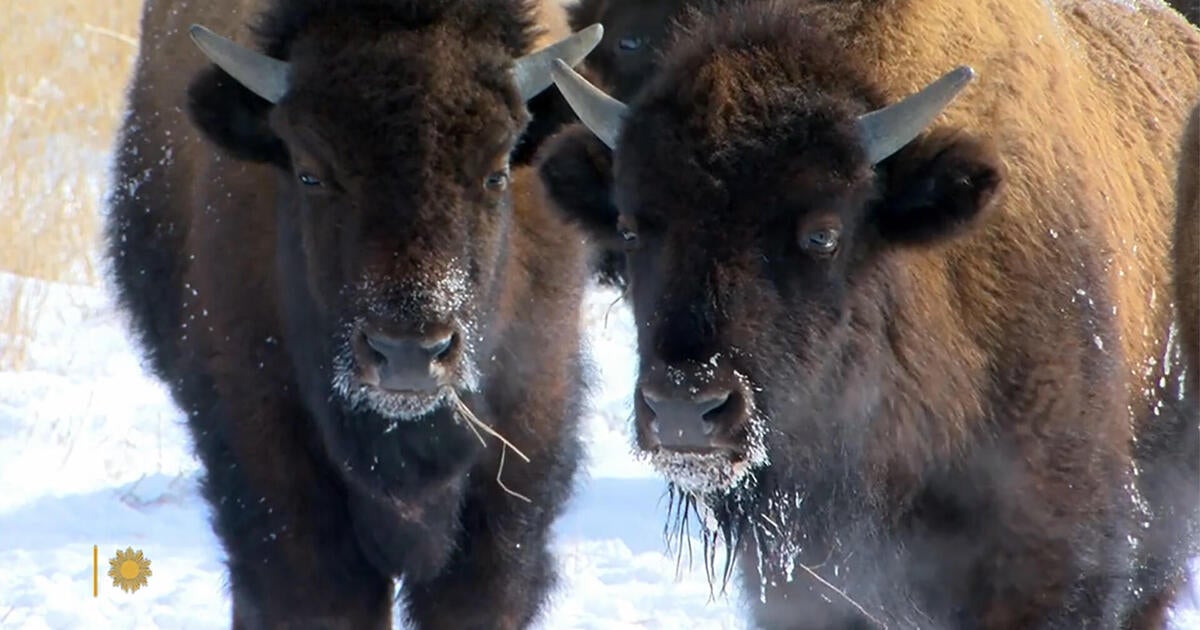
x=893, y=268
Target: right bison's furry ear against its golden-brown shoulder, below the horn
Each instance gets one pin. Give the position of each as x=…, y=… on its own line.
x=939, y=187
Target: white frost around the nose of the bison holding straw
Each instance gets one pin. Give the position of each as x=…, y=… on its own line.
x=445, y=296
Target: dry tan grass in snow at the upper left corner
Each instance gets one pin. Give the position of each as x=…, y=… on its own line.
x=63, y=76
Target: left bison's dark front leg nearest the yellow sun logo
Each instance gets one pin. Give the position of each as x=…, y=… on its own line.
x=280, y=513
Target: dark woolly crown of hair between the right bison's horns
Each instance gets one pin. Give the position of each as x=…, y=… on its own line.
x=746, y=119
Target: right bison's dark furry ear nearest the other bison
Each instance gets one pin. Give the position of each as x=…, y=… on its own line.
x=577, y=171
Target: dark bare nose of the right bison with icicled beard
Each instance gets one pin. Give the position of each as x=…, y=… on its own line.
x=687, y=422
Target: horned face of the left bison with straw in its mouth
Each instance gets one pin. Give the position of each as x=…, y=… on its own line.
x=394, y=203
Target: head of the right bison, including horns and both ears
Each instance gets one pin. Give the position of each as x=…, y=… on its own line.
x=759, y=256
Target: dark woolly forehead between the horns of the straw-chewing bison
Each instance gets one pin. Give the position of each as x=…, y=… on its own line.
x=415, y=92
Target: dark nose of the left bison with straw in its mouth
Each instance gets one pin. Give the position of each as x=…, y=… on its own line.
x=406, y=363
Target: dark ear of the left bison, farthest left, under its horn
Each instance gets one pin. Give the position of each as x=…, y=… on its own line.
x=235, y=118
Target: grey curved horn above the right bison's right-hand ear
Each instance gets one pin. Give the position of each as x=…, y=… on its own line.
x=886, y=131
